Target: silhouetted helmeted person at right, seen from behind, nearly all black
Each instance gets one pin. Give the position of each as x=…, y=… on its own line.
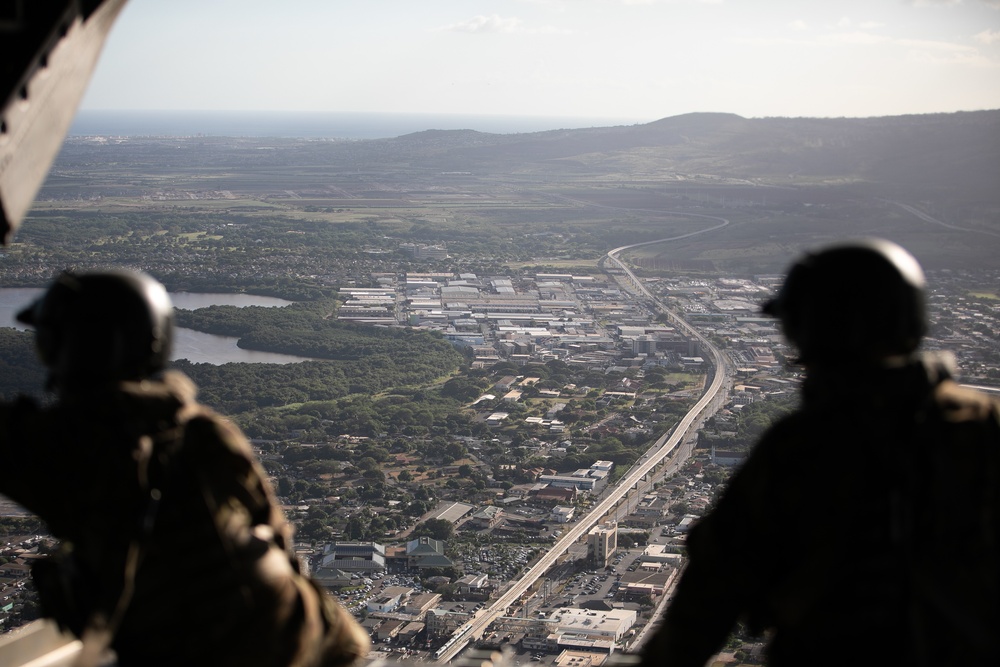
x=864, y=528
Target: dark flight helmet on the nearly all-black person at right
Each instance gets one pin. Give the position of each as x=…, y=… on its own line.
x=859, y=302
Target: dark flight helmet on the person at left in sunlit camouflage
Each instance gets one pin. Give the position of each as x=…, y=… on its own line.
x=98, y=326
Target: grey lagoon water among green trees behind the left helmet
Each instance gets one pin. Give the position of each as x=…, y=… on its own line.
x=192, y=345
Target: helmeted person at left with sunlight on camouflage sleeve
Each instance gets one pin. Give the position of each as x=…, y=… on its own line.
x=174, y=548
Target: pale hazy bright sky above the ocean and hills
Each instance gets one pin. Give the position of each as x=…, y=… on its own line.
x=630, y=60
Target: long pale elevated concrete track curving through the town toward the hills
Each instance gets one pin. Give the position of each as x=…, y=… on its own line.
x=664, y=446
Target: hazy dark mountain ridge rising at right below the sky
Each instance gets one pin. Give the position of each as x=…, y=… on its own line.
x=955, y=155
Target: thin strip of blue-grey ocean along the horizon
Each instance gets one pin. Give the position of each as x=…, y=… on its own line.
x=312, y=125
